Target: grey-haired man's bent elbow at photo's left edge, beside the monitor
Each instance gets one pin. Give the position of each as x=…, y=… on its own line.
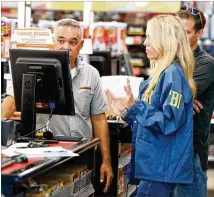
x=8, y=107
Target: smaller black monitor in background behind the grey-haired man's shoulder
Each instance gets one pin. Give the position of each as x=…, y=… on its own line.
x=101, y=60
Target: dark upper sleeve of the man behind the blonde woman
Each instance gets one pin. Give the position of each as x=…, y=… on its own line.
x=203, y=76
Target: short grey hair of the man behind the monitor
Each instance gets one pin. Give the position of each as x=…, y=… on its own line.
x=71, y=23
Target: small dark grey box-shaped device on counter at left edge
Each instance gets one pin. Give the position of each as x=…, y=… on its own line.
x=8, y=131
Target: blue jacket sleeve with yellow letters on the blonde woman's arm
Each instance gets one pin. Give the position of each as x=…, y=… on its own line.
x=175, y=99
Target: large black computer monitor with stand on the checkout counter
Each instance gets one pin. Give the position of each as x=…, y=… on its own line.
x=41, y=79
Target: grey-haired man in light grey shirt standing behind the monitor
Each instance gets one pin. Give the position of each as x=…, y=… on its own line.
x=89, y=98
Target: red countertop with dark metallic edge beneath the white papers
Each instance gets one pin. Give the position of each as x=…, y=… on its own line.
x=18, y=172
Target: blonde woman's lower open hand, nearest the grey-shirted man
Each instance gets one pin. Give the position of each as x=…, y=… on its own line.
x=114, y=103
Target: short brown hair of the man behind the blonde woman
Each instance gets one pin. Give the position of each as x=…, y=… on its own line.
x=199, y=19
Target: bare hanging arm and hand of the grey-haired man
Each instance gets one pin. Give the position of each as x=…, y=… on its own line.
x=100, y=128
